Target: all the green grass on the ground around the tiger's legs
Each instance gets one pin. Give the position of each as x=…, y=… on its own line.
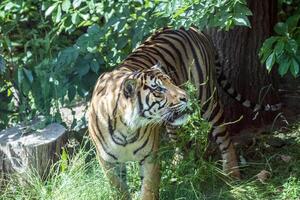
x=82, y=177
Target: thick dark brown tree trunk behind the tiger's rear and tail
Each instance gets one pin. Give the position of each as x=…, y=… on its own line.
x=239, y=50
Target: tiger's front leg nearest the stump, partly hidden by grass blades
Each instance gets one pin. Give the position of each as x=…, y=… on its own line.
x=119, y=182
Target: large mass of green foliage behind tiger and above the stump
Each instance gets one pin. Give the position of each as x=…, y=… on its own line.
x=51, y=52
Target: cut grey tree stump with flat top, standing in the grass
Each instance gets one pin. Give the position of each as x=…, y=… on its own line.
x=26, y=147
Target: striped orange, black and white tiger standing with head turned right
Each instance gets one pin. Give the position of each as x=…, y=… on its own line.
x=138, y=101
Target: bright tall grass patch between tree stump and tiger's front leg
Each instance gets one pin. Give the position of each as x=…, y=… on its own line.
x=81, y=179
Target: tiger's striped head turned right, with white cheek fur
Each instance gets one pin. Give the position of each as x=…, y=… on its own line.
x=154, y=98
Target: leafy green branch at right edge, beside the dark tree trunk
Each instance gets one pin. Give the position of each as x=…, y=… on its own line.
x=283, y=49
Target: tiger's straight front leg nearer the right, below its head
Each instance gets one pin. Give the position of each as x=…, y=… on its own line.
x=150, y=180
